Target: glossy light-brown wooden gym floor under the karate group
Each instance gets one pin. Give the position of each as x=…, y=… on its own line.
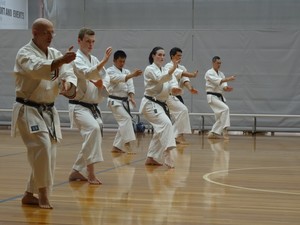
x=244, y=181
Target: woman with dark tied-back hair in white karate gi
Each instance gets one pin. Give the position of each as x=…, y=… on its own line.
x=154, y=109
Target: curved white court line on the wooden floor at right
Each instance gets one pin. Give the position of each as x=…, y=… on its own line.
x=206, y=177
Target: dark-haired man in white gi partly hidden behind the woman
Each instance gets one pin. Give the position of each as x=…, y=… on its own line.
x=179, y=112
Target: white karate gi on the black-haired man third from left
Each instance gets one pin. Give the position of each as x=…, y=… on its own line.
x=118, y=87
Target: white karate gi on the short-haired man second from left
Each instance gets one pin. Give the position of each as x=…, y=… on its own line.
x=82, y=117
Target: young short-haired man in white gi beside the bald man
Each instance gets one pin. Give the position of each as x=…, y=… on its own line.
x=84, y=111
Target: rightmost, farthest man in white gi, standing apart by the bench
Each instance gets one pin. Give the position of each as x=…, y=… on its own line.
x=216, y=84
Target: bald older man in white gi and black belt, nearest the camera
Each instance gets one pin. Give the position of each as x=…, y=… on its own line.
x=41, y=73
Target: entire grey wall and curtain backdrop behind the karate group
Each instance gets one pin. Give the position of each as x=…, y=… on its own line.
x=260, y=45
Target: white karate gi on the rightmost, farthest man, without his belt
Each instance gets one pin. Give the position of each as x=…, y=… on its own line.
x=220, y=108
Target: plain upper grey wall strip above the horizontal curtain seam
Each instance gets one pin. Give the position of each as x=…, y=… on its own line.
x=169, y=14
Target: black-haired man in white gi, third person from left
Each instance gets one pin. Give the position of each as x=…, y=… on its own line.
x=121, y=99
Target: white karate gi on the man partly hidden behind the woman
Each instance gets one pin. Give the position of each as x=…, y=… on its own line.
x=179, y=112
